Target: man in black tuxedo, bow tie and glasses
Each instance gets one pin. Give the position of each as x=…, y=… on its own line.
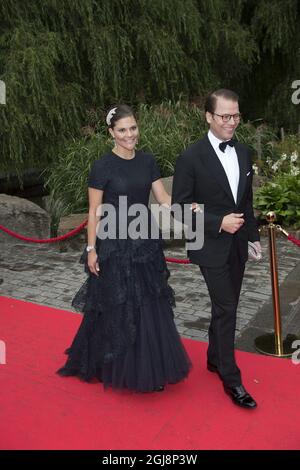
x=217, y=172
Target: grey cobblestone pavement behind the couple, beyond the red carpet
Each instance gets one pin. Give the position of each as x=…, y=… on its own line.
x=42, y=274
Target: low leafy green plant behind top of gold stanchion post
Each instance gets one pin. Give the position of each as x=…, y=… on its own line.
x=281, y=195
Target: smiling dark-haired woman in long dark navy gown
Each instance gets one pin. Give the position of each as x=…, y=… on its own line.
x=127, y=337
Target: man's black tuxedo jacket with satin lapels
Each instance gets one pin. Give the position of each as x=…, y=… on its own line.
x=200, y=177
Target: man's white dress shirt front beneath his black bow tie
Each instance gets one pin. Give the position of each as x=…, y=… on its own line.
x=229, y=162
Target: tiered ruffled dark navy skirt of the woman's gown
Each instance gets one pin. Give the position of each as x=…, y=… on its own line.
x=127, y=337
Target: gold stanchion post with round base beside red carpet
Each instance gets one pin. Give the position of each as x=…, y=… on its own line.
x=272, y=344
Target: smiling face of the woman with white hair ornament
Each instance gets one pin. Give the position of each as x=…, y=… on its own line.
x=125, y=133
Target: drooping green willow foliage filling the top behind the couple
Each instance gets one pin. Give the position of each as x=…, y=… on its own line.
x=59, y=60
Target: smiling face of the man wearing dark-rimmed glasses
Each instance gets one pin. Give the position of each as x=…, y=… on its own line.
x=223, y=130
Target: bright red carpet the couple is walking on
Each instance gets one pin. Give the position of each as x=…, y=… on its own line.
x=40, y=410
